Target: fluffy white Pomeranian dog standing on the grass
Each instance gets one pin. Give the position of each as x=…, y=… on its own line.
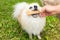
x=28, y=16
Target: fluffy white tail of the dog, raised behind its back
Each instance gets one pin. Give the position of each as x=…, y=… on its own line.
x=18, y=7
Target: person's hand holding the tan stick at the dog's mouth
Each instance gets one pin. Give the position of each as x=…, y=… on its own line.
x=48, y=10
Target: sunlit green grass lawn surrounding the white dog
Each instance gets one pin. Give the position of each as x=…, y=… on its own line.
x=11, y=30
